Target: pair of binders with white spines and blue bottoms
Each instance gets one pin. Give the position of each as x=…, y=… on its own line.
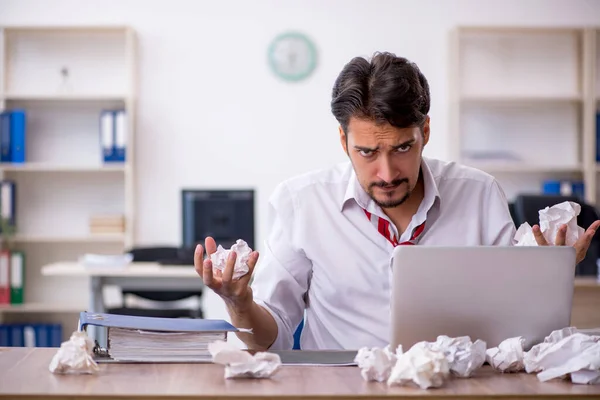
x=113, y=135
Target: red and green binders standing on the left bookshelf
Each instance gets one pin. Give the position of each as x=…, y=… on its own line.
x=12, y=277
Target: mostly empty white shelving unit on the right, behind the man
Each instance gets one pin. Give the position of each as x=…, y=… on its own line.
x=523, y=105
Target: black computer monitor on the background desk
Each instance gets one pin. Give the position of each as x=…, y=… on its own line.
x=225, y=215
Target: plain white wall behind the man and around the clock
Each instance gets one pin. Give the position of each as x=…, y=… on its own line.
x=212, y=115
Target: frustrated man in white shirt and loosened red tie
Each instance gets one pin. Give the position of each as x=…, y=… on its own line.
x=333, y=231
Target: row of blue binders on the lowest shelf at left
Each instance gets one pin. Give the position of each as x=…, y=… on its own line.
x=30, y=335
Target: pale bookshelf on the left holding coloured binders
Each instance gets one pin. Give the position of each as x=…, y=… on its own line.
x=63, y=77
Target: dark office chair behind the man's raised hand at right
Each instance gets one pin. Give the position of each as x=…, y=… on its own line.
x=527, y=210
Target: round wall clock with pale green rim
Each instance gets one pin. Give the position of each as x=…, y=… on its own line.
x=292, y=56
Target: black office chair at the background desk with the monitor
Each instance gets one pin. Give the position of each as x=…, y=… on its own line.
x=163, y=255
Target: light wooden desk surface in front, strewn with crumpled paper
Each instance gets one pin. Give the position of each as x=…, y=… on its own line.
x=24, y=373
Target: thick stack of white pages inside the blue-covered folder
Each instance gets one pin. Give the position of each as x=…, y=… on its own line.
x=155, y=346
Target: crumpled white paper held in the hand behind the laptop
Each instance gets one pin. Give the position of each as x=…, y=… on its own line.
x=551, y=219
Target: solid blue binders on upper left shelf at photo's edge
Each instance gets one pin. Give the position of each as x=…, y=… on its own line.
x=12, y=136
